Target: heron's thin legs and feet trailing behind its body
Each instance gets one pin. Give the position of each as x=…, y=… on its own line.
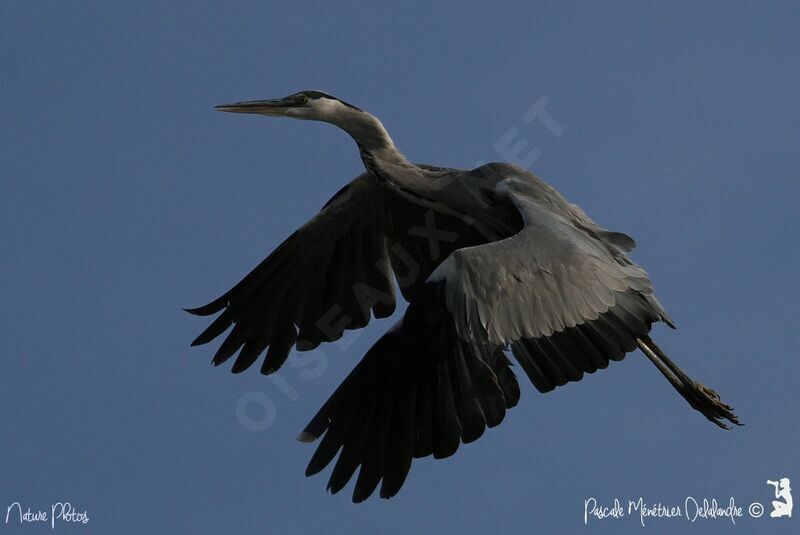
x=700, y=397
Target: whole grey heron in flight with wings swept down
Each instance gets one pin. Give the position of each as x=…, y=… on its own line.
x=489, y=260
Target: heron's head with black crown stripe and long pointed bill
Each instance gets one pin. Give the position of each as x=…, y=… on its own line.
x=308, y=105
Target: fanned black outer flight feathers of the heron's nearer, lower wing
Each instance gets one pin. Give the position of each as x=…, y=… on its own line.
x=418, y=391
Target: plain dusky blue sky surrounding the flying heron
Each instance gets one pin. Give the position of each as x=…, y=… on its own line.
x=124, y=197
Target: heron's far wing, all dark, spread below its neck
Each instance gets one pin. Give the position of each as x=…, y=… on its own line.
x=330, y=275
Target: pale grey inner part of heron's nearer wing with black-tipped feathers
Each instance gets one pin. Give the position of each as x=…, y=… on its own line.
x=561, y=292
